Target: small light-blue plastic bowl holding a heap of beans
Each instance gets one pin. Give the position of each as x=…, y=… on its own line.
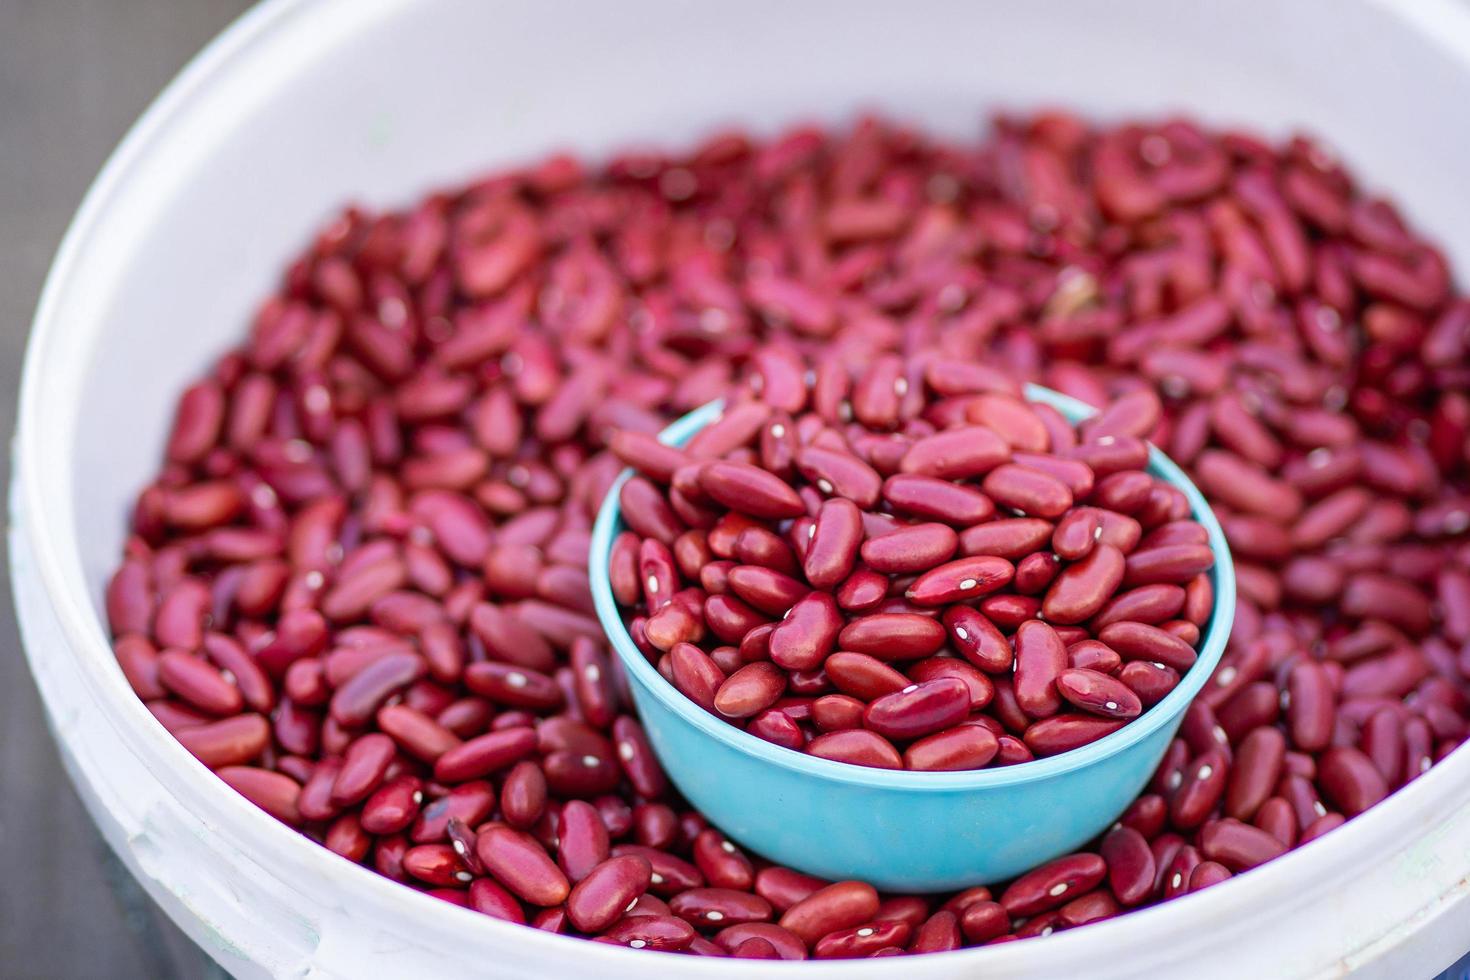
x=902, y=831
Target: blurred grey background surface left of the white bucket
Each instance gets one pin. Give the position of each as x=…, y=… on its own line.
x=74, y=76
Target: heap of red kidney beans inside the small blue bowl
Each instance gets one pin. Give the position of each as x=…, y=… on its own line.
x=812, y=550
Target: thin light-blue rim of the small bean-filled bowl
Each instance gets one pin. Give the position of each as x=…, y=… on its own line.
x=1211, y=649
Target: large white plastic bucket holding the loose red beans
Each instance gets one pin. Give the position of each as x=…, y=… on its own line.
x=305, y=105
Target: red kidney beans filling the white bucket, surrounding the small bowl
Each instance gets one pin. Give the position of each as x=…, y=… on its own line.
x=358, y=587
